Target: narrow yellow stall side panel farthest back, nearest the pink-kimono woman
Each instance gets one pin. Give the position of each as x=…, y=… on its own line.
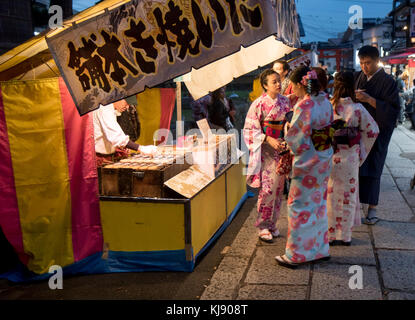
x=236, y=186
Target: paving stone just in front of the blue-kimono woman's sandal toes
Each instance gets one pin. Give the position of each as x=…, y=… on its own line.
x=265, y=270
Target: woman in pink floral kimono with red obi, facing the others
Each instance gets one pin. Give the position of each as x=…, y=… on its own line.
x=263, y=132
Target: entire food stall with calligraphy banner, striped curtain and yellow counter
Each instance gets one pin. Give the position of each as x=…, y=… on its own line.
x=59, y=210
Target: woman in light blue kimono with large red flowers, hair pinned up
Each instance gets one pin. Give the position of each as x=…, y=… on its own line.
x=309, y=140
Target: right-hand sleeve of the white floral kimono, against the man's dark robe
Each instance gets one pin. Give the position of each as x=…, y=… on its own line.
x=369, y=131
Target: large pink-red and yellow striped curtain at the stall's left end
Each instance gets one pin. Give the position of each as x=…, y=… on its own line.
x=49, y=208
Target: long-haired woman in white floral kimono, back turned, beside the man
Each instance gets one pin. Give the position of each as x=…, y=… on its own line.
x=352, y=144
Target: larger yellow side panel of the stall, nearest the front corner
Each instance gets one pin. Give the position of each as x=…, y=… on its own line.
x=208, y=213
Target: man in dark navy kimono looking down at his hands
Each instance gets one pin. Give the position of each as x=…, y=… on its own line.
x=378, y=93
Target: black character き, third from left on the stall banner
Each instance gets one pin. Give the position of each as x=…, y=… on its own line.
x=147, y=44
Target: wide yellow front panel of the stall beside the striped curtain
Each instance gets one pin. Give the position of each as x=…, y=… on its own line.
x=142, y=226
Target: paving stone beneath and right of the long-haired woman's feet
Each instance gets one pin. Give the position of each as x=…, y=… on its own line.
x=359, y=252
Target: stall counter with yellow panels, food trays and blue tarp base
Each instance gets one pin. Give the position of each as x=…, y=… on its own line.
x=169, y=208
